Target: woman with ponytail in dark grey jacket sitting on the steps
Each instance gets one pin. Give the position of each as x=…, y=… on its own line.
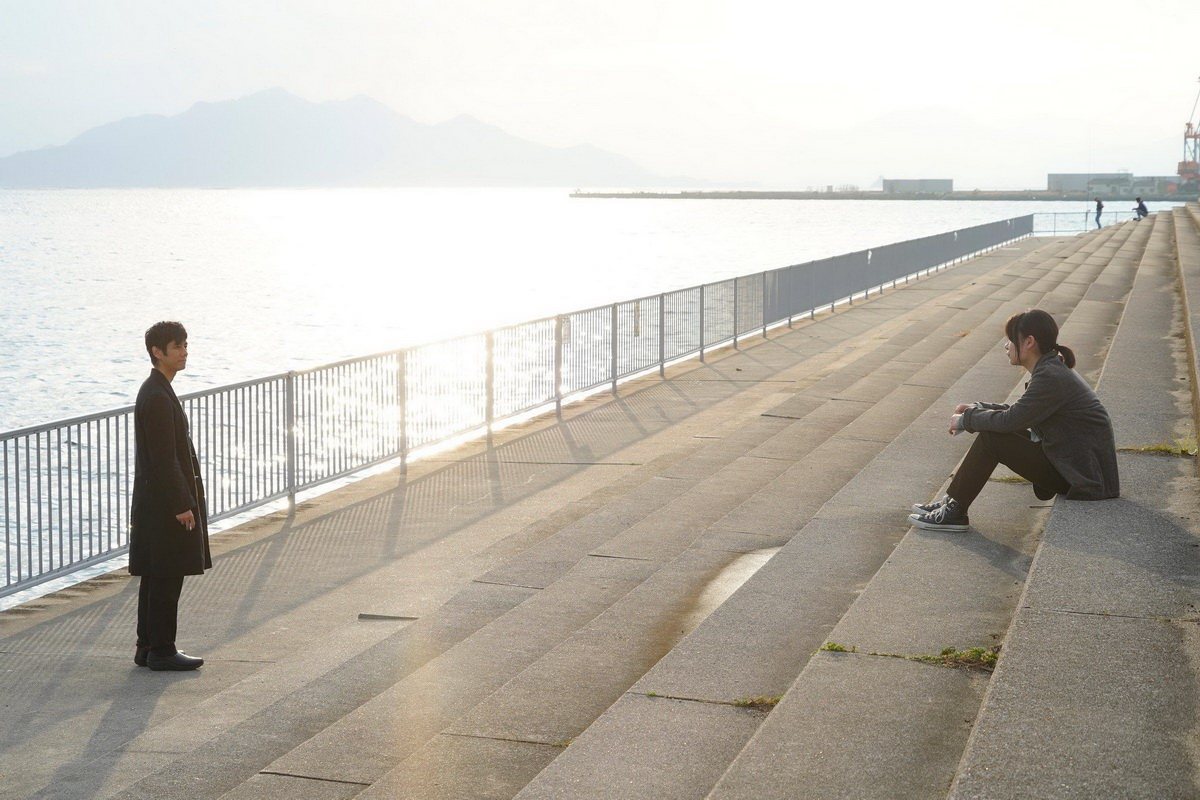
x=1058, y=436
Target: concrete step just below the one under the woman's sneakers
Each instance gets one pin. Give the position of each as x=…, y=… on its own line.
x=722, y=661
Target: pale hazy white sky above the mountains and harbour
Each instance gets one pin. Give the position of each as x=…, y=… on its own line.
x=779, y=93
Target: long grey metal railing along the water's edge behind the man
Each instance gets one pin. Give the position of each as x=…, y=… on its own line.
x=65, y=486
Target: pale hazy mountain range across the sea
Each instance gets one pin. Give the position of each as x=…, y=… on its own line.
x=274, y=139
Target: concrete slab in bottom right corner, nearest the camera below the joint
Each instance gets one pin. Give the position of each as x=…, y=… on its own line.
x=1121, y=726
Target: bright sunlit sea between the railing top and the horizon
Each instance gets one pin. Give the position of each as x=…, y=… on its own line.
x=273, y=280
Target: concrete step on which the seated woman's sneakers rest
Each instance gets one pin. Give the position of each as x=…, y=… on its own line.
x=937, y=591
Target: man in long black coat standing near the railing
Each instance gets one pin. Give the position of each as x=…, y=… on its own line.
x=170, y=524
